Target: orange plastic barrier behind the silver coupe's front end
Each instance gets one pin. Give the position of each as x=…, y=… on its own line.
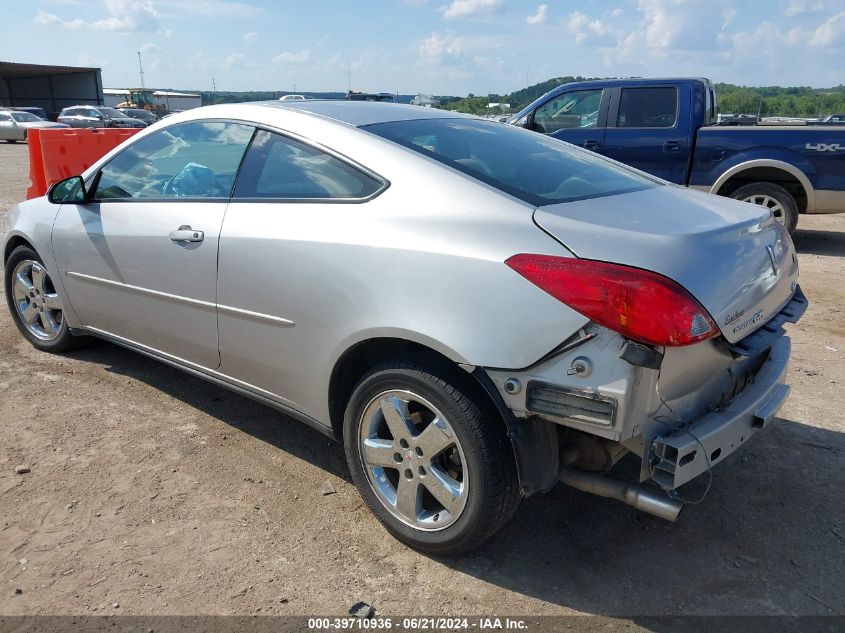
x=56, y=154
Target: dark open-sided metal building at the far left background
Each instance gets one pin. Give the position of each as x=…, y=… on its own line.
x=49, y=87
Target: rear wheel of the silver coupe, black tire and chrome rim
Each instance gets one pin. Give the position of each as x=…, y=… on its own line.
x=434, y=468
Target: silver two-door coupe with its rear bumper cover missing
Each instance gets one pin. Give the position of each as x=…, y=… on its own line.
x=477, y=311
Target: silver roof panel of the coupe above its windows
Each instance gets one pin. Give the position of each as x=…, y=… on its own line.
x=360, y=113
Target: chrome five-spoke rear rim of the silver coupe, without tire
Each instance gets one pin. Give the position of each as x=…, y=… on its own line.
x=413, y=460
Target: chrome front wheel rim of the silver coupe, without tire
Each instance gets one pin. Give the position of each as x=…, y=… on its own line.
x=36, y=300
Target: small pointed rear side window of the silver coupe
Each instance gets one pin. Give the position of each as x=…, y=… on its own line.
x=282, y=168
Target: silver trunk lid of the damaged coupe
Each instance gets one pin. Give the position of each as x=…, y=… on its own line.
x=736, y=260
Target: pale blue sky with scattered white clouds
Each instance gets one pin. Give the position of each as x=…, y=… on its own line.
x=430, y=46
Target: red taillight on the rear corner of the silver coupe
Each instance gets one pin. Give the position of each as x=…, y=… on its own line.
x=639, y=304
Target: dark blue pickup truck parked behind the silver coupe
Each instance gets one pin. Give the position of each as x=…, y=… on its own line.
x=667, y=127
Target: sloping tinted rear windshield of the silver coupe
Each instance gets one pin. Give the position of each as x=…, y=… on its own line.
x=527, y=165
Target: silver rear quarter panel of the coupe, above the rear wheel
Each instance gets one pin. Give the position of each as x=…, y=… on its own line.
x=423, y=261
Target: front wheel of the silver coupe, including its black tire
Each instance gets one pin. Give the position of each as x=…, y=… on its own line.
x=35, y=305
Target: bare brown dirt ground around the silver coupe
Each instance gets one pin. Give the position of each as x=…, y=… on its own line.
x=160, y=493
